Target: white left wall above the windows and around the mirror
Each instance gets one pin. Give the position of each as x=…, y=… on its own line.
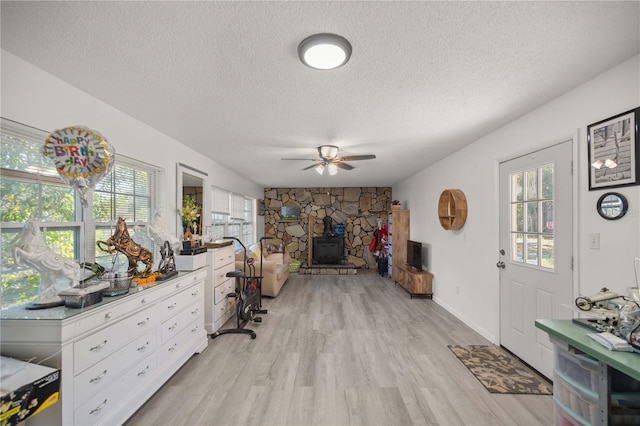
x=36, y=98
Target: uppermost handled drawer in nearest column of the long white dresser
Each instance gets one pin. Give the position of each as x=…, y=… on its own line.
x=96, y=347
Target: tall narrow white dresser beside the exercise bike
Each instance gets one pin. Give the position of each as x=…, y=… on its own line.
x=218, y=307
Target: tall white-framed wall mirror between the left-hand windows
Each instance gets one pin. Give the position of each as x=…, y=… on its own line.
x=191, y=183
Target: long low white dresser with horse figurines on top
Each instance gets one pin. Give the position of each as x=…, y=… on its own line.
x=114, y=355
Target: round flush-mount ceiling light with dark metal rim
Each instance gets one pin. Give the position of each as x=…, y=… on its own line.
x=324, y=51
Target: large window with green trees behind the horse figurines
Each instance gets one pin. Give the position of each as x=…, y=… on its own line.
x=30, y=187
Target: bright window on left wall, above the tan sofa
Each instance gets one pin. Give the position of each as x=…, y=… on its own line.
x=232, y=215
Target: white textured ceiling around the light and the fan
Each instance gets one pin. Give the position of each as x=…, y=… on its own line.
x=424, y=79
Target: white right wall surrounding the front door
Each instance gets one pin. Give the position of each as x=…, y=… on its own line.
x=467, y=258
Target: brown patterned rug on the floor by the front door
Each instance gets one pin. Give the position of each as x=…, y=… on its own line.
x=499, y=371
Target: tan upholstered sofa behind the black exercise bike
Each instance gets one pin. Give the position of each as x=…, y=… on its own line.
x=275, y=266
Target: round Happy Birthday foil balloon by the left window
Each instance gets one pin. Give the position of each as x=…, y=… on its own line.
x=82, y=157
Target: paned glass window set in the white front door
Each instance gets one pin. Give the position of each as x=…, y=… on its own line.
x=532, y=227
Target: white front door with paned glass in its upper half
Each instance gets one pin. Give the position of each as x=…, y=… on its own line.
x=536, y=255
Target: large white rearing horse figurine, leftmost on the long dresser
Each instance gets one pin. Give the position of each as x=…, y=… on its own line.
x=31, y=250
